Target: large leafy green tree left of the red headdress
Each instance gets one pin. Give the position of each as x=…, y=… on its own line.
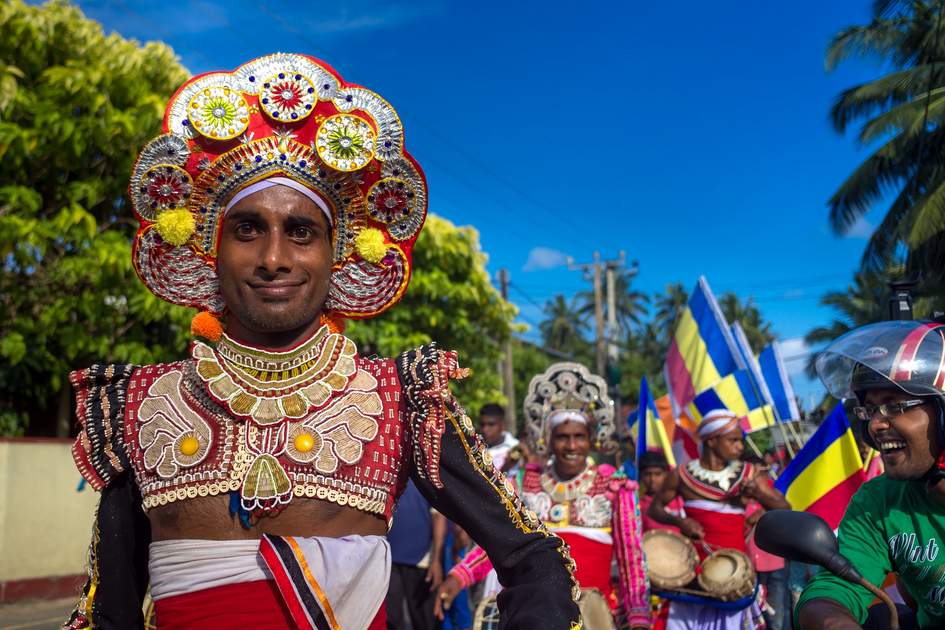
x=75, y=105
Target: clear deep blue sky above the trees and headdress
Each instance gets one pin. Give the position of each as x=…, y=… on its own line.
x=692, y=135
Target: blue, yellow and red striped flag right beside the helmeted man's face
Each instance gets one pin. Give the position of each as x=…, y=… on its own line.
x=826, y=471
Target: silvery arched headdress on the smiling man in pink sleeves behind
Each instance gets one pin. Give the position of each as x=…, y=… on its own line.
x=568, y=391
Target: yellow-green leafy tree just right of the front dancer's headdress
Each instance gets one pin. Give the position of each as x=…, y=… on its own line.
x=450, y=300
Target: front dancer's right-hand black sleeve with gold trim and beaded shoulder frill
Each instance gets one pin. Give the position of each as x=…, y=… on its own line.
x=454, y=472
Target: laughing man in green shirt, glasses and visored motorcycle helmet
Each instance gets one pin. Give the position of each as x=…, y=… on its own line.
x=896, y=522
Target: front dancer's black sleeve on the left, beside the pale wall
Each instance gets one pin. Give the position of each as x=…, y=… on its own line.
x=117, y=563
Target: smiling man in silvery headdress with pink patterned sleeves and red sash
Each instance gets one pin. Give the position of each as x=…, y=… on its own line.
x=568, y=411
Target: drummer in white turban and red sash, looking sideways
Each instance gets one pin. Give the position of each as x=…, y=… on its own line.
x=715, y=489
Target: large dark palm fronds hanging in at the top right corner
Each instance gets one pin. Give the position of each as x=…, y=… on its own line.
x=903, y=111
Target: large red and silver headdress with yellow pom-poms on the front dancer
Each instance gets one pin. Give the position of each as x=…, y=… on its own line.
x=289, y=116
